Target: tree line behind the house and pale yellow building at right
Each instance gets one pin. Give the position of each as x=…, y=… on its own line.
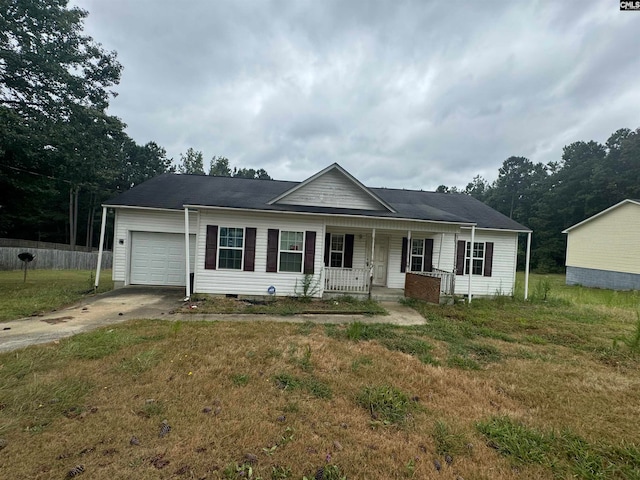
x=549, y=198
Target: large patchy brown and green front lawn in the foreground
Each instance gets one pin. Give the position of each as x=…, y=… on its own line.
x=499, y=389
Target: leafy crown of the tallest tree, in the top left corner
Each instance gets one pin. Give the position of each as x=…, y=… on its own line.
x=47, y=64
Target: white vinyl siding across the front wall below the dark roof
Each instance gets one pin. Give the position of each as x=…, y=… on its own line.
x=257, y=282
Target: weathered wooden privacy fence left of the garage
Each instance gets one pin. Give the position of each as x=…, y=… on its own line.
x=52, y=259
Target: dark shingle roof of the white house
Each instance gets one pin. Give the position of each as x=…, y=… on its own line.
x=170, y=191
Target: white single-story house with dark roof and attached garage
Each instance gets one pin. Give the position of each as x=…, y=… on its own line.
x=247, y=235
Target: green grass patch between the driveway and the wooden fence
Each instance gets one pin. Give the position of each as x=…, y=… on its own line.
x=45, y=290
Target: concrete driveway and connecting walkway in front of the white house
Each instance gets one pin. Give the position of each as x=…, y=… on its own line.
x=158, y=303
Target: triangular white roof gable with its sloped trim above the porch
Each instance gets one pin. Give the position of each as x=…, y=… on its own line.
x=333, y=187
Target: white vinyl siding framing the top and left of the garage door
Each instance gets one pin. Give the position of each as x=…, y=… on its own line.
x=130, y=220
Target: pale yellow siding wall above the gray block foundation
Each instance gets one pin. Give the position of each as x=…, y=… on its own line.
x=609, y=242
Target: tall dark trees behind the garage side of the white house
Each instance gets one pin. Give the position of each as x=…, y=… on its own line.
x=61, y=154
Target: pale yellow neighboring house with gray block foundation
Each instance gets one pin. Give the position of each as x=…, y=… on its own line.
x=603, y=250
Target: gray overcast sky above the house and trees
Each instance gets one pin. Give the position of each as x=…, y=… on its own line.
x=405, y=94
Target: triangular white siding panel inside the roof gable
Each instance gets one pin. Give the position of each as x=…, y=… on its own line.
x=332, y=189
